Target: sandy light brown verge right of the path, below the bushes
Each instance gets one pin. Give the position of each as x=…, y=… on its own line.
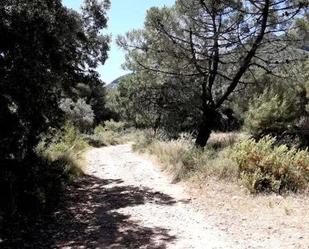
x=256, y=221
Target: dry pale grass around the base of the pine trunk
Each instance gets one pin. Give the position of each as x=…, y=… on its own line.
x=184, y=160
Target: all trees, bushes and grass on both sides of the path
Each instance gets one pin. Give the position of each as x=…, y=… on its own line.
x=218, y=90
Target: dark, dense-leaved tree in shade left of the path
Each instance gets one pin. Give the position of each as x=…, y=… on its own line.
x=45, y=50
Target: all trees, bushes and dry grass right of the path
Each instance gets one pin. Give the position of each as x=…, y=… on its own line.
x=222, y=89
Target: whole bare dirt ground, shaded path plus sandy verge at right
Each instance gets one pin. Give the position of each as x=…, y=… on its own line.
x=125, y=202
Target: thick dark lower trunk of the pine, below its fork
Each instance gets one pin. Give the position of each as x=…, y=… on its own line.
x=210, y=121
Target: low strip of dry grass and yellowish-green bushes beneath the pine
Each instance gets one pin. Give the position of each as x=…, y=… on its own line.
x=260, y=166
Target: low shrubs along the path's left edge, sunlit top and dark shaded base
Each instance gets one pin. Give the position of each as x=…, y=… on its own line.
x=35, y=184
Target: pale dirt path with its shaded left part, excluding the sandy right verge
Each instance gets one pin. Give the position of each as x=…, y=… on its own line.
x=122, y=202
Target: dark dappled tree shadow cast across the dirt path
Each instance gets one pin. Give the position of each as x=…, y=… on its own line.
x=88, y=218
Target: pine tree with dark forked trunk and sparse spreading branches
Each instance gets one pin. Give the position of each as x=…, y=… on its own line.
x=216, y=43
